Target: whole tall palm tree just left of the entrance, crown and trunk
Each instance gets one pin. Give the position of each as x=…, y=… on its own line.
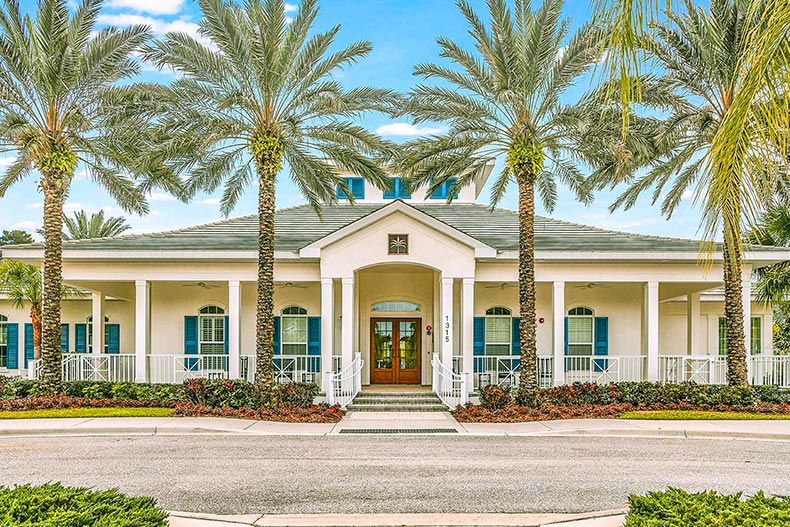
x=258, y=94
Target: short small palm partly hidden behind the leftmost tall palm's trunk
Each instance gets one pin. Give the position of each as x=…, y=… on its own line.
x=21, y=283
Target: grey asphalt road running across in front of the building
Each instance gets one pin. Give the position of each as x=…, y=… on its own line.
x=246, y=475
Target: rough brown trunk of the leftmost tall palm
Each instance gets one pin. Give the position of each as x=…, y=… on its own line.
x=53, y=185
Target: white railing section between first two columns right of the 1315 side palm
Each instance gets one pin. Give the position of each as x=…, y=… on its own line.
x=605, y=369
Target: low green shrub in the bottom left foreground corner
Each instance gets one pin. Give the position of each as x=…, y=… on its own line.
x=53, y=505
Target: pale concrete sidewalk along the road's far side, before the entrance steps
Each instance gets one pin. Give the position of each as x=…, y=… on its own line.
x=381, y=422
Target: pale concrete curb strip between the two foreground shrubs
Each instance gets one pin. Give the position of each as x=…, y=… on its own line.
x=593, y=519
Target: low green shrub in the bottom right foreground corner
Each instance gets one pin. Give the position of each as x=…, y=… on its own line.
x=676, y=507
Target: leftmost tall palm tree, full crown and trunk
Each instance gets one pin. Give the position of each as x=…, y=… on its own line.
x=61, y=105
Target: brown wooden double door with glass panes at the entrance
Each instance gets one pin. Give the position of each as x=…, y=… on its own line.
x=395, y=350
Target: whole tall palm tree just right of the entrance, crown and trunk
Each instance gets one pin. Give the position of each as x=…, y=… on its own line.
x=504, y=99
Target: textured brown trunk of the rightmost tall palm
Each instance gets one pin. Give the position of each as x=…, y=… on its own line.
x=737, y=373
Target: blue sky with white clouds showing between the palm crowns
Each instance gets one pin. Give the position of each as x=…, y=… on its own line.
x=403, y=33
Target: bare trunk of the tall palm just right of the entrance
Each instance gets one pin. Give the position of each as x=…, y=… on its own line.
x=528, y=381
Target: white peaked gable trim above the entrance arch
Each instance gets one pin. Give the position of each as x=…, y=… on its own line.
x=481, y=250
